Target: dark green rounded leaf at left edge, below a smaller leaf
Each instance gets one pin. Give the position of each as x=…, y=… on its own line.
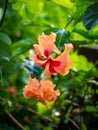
x=5, y=51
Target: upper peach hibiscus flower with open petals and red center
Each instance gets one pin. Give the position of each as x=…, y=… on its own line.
x=43, y=58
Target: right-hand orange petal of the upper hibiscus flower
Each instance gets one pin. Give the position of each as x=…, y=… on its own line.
x=65, y=61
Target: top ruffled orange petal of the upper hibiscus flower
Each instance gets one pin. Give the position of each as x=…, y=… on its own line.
x=46, y=45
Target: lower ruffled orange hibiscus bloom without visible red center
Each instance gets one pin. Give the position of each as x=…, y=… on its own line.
x=43, y=90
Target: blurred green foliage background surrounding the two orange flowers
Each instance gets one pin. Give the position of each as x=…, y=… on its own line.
x=74, y=21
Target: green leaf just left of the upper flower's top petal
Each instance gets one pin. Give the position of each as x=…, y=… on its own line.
x=21, y=47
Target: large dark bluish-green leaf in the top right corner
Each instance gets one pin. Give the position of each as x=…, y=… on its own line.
x=90, y=17
